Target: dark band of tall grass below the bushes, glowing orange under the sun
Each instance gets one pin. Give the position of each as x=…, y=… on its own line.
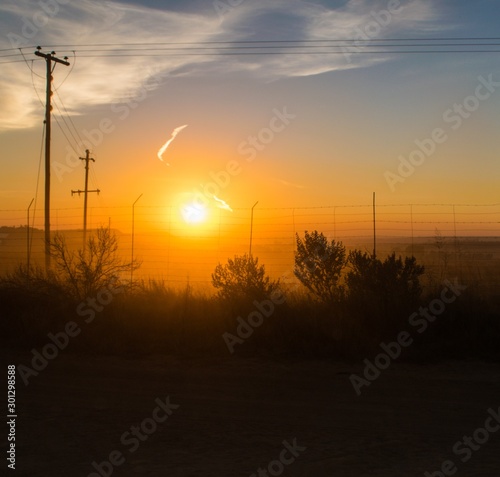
x=152, y=318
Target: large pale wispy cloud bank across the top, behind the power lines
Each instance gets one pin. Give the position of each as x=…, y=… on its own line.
x=96, y=81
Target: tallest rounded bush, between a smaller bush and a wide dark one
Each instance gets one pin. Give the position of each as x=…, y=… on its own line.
x=319, y=264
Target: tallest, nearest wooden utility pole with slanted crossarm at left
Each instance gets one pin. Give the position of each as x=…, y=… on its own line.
x=49, y=59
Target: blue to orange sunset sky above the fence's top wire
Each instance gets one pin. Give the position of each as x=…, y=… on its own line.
x=299, y=128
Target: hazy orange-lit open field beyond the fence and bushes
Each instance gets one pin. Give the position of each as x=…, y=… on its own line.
x=178, y=260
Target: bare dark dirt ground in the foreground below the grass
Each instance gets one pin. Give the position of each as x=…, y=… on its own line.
x=235, y=414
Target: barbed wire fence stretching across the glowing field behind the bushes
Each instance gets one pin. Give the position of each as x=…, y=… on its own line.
x=175, y=251
